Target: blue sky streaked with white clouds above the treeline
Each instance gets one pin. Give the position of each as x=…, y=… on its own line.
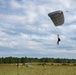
x=26, y=29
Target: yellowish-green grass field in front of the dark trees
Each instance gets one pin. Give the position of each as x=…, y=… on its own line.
x=37, y=70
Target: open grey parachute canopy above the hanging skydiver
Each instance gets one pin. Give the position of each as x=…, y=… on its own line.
x=57, y=17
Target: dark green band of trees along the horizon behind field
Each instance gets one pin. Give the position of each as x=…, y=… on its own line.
x=32, y=60
